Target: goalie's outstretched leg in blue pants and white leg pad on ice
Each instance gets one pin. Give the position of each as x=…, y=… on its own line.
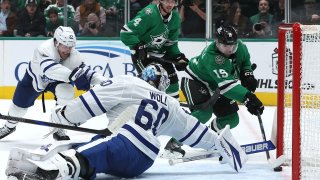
x=101, y=155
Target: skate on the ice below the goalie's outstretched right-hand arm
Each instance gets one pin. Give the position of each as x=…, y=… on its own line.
x=173, y=149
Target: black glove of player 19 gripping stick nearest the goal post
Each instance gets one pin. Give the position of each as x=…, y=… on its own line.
x=253, y=104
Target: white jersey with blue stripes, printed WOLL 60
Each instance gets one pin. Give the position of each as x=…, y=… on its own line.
x=155, y=113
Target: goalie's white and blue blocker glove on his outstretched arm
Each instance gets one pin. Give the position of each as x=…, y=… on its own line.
x=230, y=150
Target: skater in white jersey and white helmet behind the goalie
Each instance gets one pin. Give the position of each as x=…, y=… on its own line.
x=56, y=65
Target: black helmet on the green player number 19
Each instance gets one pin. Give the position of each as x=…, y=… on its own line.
x=226, y=35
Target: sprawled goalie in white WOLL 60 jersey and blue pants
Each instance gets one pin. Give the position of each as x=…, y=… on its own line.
x=135, y=147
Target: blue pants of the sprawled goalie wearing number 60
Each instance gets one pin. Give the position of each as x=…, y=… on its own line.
x=108, y=157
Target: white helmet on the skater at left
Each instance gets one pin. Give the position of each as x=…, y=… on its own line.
x=65, y=35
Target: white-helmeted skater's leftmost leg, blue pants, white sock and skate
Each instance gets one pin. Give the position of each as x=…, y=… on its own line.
x=23, y=98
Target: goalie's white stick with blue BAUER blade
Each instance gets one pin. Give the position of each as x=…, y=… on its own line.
x=248, y=148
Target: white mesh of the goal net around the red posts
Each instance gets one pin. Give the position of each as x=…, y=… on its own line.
x=310, y=102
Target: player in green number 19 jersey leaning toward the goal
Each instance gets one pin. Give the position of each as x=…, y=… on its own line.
x=221, y=65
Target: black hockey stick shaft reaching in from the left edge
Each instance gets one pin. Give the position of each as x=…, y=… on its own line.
x=105, y=131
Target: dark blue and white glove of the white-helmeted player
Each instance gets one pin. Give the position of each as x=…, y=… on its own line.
x=79, y=77
